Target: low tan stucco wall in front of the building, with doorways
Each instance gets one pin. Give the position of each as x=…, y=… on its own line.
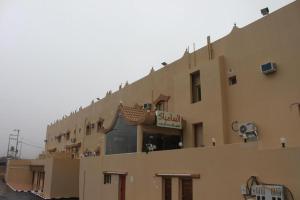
x=223, y=169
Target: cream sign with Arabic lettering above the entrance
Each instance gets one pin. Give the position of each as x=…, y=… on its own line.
x=168, y=120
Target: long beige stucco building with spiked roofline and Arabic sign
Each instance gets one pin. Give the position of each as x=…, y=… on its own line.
x=198, y=128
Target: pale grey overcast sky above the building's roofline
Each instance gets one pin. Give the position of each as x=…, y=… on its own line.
x=58, y=55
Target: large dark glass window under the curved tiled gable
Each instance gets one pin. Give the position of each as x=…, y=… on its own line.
x=122, y=138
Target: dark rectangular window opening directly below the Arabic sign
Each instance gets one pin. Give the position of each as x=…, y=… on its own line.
x=160, y=142
